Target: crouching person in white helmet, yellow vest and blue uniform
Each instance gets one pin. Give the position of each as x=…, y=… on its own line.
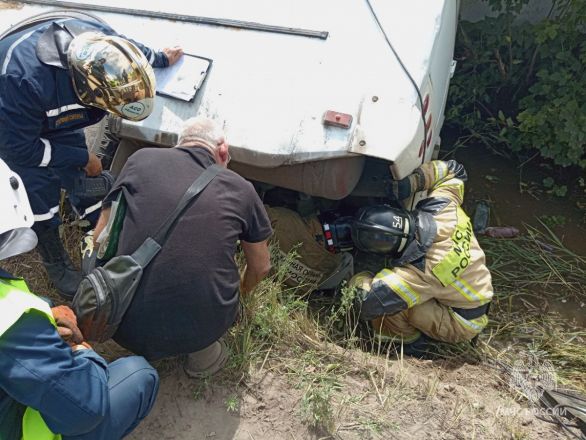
x=52, y=384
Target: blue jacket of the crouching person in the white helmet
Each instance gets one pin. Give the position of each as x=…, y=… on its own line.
x=38, y=369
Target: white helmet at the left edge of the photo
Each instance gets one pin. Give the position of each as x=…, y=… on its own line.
x=16, y=237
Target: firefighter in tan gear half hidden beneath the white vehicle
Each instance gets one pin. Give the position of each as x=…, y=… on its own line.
x=319, y=244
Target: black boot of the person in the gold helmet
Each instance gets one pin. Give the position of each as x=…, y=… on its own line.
x=57, y=263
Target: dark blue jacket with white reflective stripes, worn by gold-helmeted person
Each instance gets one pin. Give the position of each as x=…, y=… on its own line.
x=39, y=110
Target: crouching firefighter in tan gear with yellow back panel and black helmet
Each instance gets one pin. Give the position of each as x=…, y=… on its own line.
x=437, y=286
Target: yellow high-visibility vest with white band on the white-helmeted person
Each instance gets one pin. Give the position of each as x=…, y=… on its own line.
x=16, y=300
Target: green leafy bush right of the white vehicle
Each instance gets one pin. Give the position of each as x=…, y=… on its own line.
x=523, y=85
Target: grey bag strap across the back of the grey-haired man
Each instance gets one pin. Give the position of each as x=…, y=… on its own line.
x=152, y=245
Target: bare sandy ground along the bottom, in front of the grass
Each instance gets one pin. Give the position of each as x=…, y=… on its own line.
x=418, y=400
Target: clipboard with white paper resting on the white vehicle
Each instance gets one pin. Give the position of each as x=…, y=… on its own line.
x=183, y=79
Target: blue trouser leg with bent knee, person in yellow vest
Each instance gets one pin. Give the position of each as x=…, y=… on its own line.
x=133, y=386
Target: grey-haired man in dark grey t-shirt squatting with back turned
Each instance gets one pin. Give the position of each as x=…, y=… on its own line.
x=189, y=294
